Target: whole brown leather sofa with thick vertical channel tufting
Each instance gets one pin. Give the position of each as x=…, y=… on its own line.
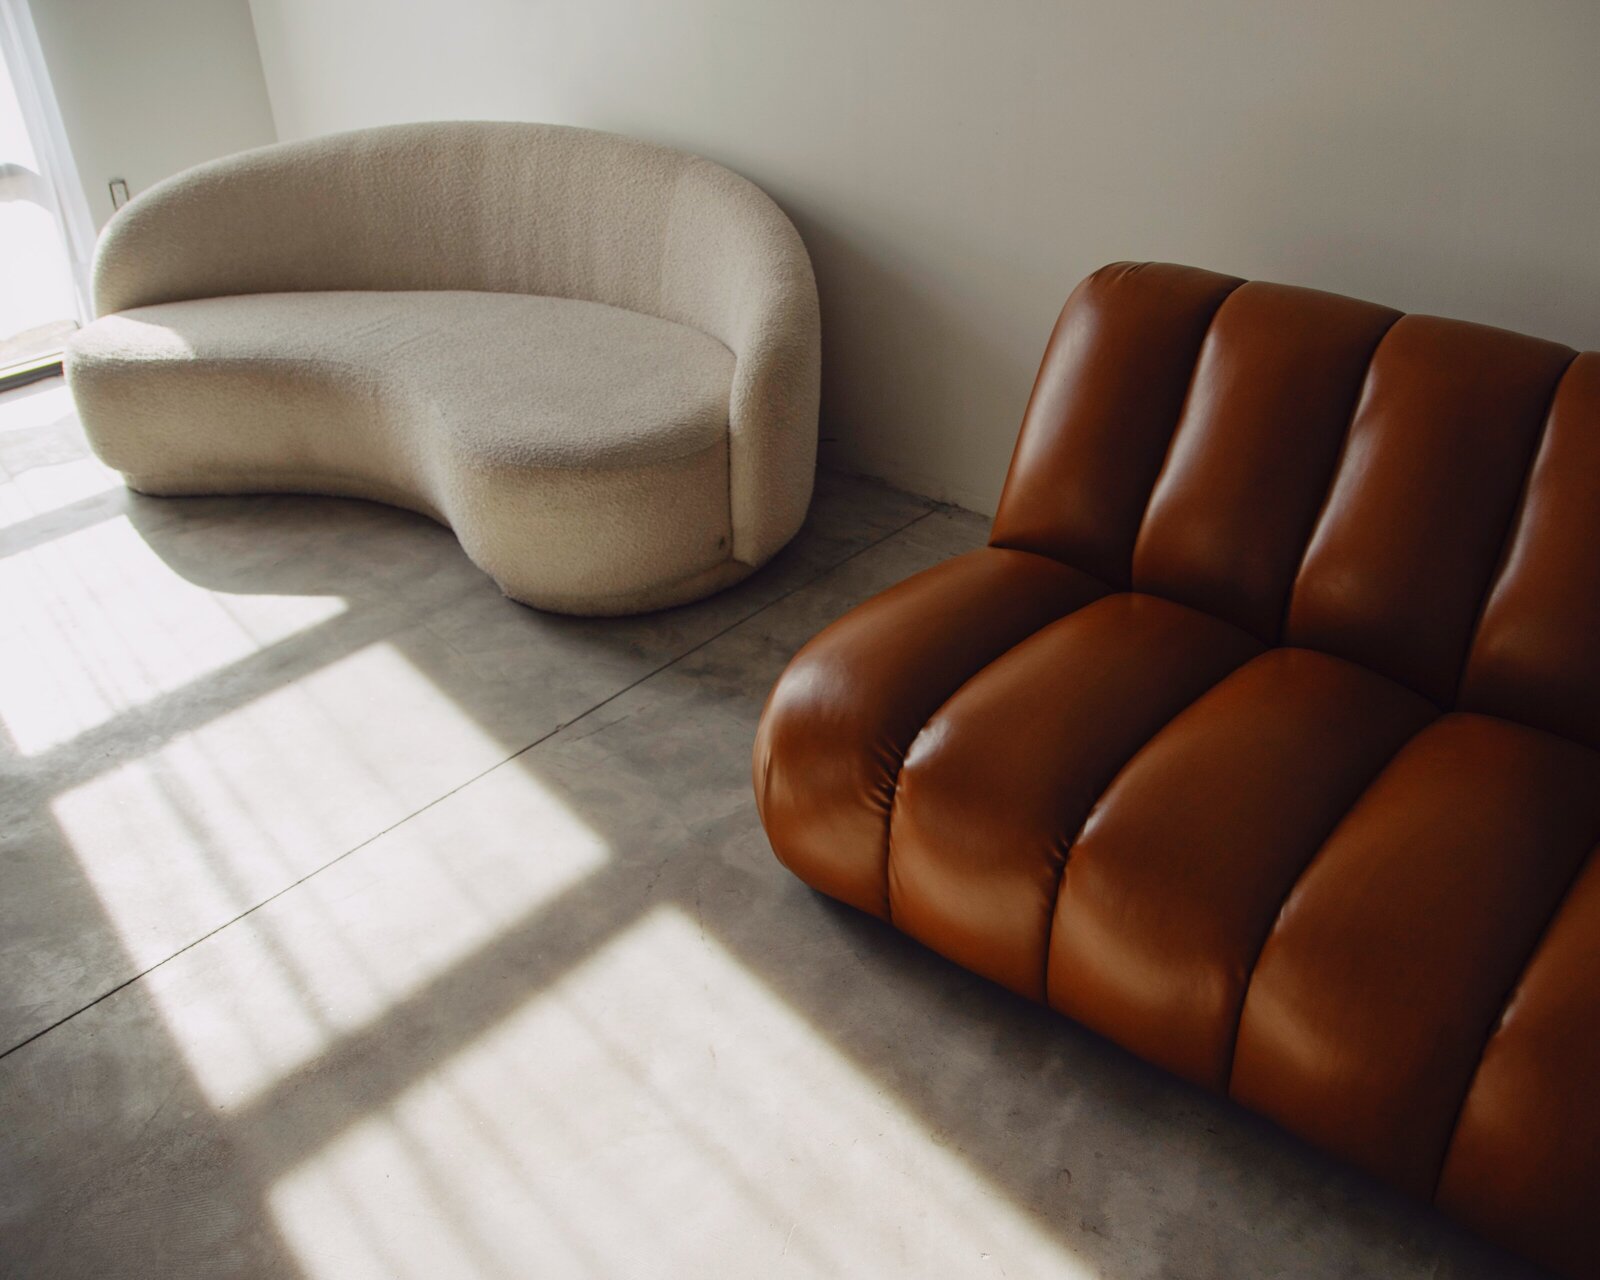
x=1263, y=735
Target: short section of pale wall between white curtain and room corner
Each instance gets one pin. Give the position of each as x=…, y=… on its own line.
x=151, y=87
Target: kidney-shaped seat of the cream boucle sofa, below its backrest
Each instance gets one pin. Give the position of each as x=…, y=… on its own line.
x=578, y=450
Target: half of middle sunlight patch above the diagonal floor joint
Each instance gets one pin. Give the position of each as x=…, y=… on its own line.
x=217, y=818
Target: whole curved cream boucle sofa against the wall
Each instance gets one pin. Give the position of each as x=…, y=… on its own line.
x=594, y=359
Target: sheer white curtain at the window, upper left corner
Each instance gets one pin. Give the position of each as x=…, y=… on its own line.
x=47, y=175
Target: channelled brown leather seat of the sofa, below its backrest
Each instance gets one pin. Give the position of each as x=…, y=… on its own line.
x=1270, y=870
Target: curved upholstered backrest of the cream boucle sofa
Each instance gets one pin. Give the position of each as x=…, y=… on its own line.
x=460, y=206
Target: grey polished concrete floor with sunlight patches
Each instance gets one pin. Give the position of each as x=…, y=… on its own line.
x=358, y=922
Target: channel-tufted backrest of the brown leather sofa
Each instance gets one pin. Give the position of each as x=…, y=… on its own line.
x=1417, y=495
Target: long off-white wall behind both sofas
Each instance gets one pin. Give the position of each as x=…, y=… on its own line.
x=956, y=166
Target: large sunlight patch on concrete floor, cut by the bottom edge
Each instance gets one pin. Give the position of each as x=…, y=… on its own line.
x=630, y=1121
